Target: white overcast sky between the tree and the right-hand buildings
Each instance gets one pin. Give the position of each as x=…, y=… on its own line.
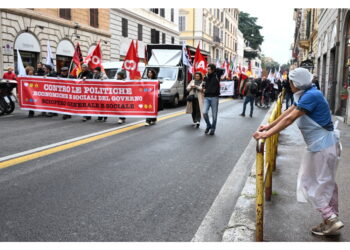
x=278, y=31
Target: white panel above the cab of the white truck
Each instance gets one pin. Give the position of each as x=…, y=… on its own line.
x=165, y=57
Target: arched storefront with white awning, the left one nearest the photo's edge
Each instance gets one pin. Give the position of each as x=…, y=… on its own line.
x=29, y=49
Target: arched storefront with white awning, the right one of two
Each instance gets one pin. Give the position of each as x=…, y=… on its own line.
x=64, y=54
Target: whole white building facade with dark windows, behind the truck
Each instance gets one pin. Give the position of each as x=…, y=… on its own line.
x=147, y=26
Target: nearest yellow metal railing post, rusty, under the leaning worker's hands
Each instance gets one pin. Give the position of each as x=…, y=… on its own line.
x=259, y=234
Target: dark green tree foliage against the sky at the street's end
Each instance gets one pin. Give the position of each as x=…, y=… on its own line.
x=251, y=31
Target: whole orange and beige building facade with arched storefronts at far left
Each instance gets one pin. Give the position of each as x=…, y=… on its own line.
x=29, y=31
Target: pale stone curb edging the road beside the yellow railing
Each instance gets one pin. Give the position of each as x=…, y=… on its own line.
x=241, y=227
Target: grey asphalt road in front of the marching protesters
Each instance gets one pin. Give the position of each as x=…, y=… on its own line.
x=148, y=184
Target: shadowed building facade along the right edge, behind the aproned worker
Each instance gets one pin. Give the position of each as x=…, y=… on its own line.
x=327, y=45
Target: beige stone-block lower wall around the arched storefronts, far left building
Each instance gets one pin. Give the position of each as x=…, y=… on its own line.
x=17, y=21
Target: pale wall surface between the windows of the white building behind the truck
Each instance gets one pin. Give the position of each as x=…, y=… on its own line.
x=149, y=20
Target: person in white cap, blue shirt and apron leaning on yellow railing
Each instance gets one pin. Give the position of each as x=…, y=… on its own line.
x=316, y=181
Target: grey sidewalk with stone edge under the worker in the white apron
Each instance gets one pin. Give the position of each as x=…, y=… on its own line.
x=285, y=219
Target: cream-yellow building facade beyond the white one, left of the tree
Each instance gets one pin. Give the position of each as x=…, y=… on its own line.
x=215, y=29
